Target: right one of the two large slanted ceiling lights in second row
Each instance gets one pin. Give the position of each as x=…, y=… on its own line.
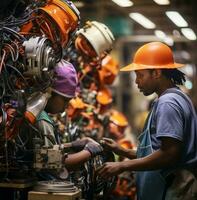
x=176, y=18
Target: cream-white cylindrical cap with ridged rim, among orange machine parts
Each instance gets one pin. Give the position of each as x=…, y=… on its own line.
x=98, y=35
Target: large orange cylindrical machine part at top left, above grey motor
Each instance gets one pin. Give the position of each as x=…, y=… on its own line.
x=57, y=20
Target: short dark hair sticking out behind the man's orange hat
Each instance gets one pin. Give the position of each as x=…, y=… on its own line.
x=176, y=76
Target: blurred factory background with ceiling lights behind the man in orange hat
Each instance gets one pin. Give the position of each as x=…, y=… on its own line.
x=139, y=21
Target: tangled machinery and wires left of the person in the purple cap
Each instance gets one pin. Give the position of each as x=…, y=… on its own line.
x=29, y=47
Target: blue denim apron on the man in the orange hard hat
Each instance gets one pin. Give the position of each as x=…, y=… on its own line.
x=150, y=184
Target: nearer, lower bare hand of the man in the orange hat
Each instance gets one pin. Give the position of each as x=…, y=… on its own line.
x=110, y=169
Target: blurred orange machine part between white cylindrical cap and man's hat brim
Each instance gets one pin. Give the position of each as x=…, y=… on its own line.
x=108, y=71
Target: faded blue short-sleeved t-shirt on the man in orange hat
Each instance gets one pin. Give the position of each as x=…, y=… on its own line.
x=175, y=117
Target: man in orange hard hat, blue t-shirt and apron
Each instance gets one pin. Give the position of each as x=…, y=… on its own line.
x=166, y=156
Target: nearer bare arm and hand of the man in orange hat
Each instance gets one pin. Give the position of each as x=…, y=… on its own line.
x=167, y=156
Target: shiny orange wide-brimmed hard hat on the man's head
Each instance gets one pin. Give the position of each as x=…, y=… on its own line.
x=153, y=55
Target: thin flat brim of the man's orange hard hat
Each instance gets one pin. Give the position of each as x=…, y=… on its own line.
x=135, y=66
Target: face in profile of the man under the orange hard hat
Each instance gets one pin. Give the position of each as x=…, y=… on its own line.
x=145, y=81
